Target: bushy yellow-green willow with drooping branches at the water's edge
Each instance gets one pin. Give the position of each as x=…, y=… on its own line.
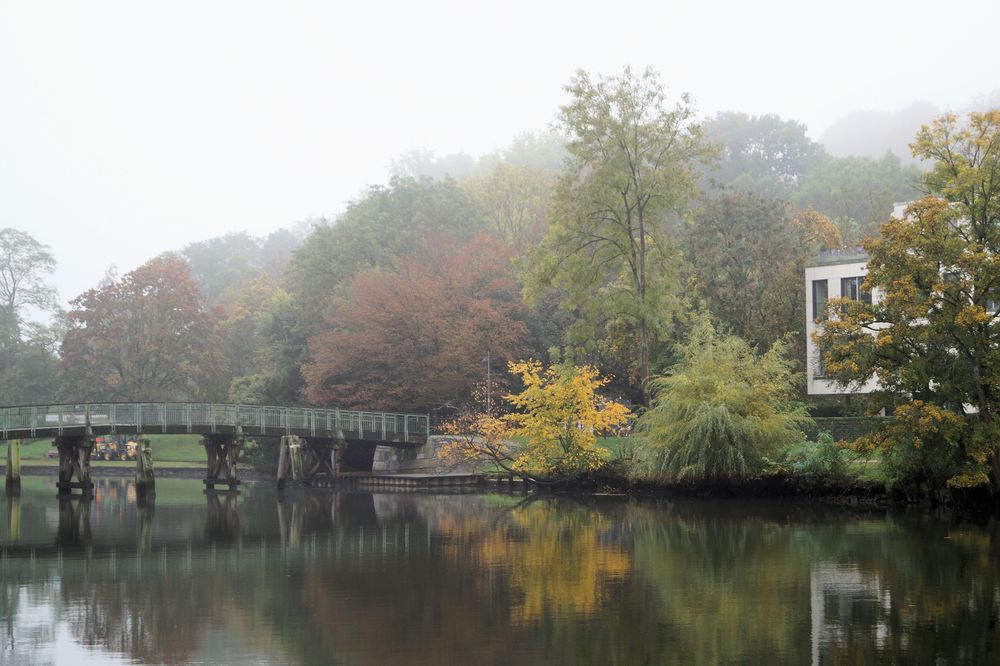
x=722, y=409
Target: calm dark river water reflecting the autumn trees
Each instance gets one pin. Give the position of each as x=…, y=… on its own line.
x=322, y=577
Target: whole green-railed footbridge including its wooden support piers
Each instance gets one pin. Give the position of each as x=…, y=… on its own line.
x=313, y=441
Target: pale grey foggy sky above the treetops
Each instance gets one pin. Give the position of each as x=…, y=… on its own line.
x=128, y=127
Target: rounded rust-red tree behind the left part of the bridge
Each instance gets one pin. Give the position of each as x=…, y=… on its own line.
x=145, y=336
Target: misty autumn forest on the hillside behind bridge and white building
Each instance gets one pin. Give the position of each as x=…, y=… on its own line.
x=397, y=302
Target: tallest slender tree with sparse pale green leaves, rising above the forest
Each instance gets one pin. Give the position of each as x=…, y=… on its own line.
x=631, y=165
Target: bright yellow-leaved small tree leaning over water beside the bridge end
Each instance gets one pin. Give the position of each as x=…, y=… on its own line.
x=552, y=434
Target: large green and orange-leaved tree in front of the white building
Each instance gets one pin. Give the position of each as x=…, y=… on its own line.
x=933, y=339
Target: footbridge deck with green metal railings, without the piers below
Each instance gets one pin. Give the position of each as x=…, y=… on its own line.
x=205, y=418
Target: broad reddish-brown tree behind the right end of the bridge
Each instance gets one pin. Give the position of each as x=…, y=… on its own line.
x=416, y=338
